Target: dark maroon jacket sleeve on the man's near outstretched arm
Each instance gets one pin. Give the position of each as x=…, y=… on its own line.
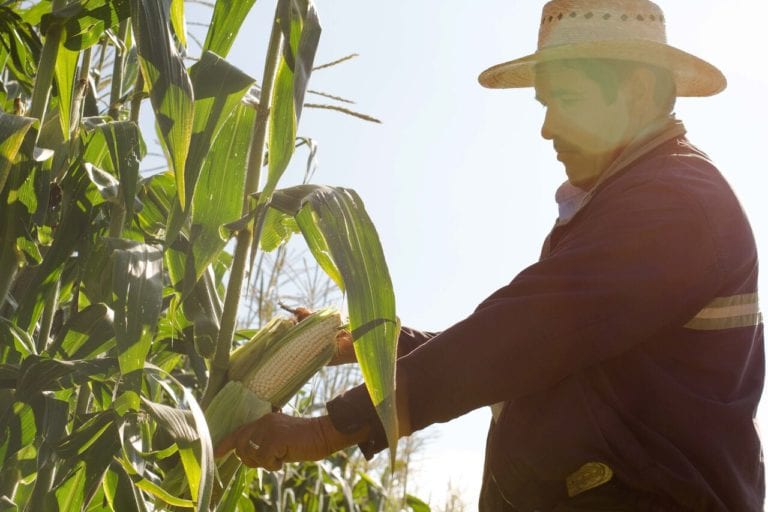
x=635, y=263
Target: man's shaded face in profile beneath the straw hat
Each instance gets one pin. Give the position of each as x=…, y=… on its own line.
x=587, y=130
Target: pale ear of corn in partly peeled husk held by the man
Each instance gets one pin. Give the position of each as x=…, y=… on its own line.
x=272, y=367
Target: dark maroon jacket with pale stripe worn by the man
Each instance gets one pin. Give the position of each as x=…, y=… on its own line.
x=634, y=342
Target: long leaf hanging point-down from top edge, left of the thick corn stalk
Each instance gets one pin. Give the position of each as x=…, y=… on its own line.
x=170, y=89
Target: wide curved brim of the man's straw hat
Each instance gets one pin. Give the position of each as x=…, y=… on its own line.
x=693, y=76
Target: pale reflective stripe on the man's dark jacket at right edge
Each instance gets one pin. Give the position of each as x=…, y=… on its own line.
x=727, y=313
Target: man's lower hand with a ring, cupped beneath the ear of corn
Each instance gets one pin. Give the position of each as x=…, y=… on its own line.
x=277, y=438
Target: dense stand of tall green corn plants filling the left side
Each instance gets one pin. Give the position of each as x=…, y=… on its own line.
x=118, y=300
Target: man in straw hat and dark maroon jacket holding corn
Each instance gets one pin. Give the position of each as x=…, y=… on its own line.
x=625, y=367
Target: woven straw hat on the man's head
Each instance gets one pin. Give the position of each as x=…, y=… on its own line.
x=631, y=30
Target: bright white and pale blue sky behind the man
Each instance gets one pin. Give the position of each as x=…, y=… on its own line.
x=457, y=179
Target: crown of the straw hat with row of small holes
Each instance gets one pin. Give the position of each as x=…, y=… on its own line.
x=579, y=21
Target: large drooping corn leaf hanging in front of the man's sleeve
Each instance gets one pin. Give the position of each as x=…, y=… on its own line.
x=343, y=239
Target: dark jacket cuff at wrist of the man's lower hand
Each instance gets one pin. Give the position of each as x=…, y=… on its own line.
x=352, y=411
